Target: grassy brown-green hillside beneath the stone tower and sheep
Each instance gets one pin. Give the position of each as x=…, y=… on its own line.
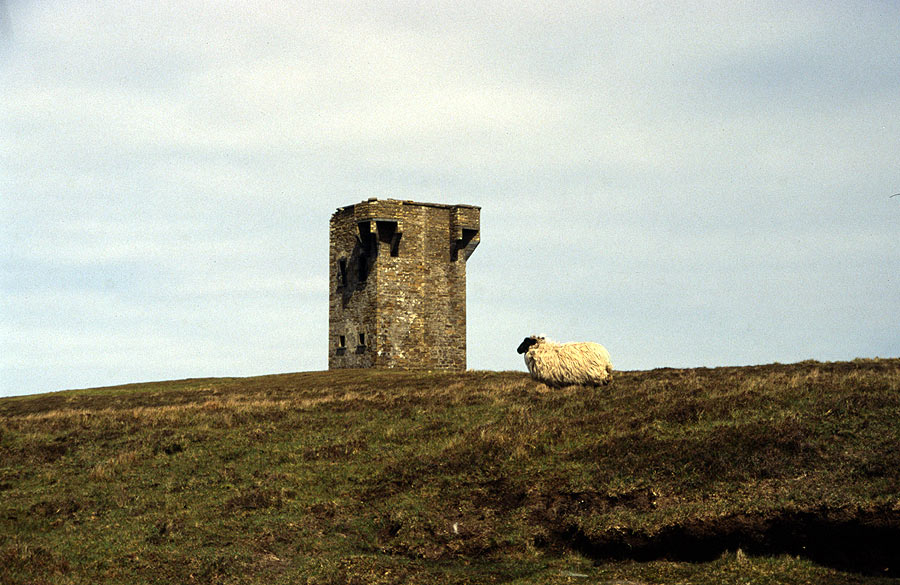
x=769, y=474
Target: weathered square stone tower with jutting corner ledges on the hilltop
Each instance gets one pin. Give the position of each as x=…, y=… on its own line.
x=397, y=290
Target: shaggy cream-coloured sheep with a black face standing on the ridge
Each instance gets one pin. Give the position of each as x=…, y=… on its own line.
x=565, y=364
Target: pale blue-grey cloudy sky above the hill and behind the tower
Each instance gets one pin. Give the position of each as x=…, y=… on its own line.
x=696, y=184
